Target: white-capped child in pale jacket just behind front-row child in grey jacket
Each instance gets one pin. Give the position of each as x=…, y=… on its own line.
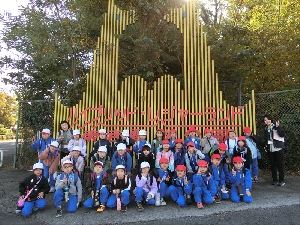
x=76, y=159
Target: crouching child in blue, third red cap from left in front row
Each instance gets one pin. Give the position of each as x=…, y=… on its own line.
x=204, y=185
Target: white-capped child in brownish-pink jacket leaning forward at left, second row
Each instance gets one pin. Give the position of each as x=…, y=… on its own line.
x=50, y=157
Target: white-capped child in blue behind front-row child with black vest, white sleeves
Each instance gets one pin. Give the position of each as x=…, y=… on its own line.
x=121, y=157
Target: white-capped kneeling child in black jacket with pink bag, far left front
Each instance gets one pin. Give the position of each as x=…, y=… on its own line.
x=38, y=187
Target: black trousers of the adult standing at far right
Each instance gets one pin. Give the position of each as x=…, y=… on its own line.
x=276, y=159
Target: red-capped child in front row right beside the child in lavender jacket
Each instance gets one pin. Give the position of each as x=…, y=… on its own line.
x=164, y=179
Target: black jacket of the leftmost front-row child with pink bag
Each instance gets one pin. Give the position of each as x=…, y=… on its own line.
x=29, y=182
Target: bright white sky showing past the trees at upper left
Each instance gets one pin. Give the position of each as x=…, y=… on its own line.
x=10, y=6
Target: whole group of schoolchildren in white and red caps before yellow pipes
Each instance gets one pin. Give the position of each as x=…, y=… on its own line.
x=202, y=170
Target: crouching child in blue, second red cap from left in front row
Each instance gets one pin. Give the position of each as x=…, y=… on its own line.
x=181, y=188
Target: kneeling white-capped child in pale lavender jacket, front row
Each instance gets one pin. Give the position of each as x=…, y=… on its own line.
x=146, y=187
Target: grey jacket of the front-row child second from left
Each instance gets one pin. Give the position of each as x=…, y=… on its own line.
x=74, y=188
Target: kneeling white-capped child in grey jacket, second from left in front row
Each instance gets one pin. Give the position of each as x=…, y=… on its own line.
x=68, y=187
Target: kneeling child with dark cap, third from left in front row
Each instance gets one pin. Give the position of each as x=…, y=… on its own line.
x=96, y=185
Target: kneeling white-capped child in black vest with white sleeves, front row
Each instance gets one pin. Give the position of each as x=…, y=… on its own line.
x=120, y=187
